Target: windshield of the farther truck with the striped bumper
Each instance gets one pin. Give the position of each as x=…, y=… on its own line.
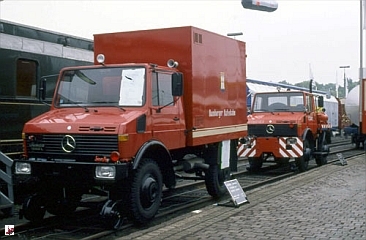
x=279, y=102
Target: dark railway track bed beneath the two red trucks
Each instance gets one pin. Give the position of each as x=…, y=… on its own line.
x=86, y=224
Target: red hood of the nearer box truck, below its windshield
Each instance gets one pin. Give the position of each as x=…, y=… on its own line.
x=77, y=120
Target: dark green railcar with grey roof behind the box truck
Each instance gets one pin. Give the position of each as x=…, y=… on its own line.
x=29, y=56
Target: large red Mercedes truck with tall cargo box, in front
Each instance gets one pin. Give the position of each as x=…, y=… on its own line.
x=127, y=125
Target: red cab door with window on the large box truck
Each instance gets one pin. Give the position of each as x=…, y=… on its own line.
x=167, y=114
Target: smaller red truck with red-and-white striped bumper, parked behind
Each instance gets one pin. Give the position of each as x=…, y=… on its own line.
x=286, y=127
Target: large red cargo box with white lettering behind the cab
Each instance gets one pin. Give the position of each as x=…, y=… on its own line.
x=214, y=74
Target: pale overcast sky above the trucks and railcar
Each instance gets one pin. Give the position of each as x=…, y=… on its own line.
x=300, y=40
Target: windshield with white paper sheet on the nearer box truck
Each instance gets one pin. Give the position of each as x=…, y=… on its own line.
x=102, y=86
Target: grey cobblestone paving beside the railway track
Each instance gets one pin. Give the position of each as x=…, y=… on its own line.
x=326, y=203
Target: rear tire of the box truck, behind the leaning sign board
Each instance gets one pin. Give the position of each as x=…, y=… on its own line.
x=214, y=180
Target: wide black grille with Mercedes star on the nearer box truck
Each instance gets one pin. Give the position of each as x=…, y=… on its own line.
x=51, y=145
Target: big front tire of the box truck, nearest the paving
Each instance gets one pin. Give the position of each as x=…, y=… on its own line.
x=146, y=192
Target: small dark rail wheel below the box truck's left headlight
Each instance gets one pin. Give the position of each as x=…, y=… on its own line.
x=33, y=208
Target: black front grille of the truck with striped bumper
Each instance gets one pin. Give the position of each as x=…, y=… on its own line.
x=280, y=130
